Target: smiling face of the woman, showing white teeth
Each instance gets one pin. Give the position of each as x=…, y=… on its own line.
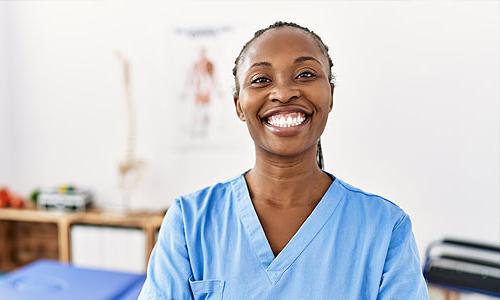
x=285, y=95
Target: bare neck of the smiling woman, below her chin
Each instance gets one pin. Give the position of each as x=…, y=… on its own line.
x=287, y=182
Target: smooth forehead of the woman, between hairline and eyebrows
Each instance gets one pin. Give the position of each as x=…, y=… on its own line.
x=282, y=45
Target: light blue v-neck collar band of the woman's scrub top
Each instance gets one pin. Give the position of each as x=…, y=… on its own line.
x=276, y=266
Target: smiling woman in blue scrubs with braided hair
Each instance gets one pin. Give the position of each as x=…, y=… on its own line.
x=285, y=229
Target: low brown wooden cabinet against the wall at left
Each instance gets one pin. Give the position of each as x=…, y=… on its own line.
x=27, y=235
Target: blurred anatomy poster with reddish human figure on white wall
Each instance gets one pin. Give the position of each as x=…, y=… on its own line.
x=203, y=93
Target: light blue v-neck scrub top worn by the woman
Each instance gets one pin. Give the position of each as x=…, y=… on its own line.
x=354, y=245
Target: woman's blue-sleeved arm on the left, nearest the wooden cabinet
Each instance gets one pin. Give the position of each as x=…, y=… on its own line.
x=169, y=269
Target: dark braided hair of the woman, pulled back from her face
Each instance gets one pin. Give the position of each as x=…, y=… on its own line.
x=316, y=38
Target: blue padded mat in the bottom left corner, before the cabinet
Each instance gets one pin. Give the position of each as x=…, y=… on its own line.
x=50, y=280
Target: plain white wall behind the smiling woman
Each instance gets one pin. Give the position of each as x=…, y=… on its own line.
x=416, y=116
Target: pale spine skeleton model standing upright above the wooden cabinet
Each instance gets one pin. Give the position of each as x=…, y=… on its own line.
x=130, y=170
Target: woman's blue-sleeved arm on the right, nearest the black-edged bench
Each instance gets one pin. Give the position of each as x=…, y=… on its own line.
x=402, y=277
